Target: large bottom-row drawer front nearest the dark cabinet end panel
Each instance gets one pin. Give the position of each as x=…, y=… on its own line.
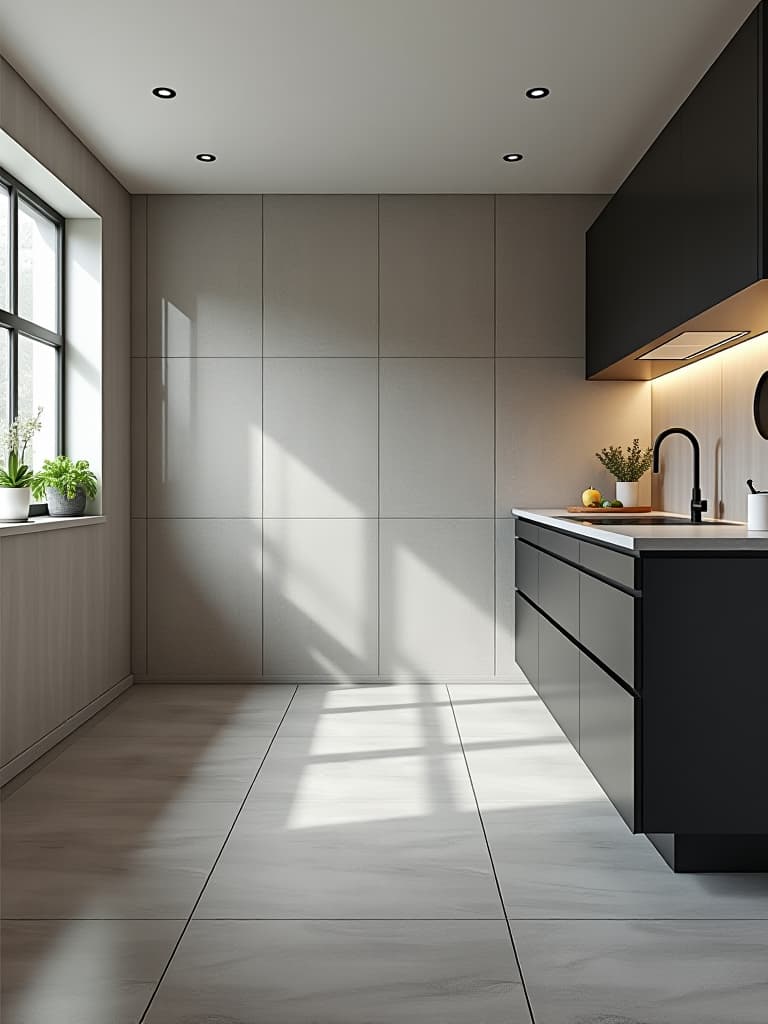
x=608, y=737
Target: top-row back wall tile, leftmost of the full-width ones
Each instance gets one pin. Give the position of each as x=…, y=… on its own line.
x=204, y=288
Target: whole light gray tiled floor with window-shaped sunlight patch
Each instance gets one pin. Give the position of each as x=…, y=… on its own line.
x=306, y=856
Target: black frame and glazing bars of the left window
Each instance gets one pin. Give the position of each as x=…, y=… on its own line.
x=17, y=325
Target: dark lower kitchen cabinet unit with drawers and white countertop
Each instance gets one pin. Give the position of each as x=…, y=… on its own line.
x=646, y=644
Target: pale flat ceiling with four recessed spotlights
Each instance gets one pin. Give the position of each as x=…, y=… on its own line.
x=367, y=96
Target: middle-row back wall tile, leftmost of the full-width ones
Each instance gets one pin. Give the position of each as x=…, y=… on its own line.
x=205, y=424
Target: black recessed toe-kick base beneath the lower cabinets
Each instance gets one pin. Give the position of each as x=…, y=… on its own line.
x=712, y=854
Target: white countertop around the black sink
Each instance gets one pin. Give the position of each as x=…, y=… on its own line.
x=690, y=538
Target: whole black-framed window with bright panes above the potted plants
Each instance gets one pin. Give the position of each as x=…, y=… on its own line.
x=31, y=315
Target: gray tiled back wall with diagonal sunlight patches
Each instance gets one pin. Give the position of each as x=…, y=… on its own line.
x=337, y=400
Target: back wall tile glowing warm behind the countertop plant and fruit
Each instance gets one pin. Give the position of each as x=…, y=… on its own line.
x=550, y=423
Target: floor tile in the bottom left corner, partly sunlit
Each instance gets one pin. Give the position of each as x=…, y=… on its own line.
x=78, y=972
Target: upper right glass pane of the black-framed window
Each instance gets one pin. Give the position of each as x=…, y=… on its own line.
x=37, y=267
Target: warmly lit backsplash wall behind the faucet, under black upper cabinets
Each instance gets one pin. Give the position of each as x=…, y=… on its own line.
x=714, y=399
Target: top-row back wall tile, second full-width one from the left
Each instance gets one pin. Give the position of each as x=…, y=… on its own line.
x=321, y=276
